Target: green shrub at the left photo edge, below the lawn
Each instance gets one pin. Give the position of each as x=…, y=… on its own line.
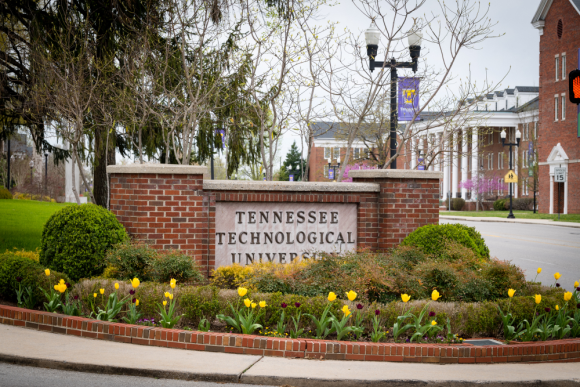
x=30, y=273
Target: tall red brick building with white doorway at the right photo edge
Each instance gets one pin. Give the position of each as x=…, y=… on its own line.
x=558, y=22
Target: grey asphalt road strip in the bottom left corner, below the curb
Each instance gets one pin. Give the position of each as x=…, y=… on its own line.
x=20, y=376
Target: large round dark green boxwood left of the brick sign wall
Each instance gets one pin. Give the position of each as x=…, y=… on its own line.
x=75, y=240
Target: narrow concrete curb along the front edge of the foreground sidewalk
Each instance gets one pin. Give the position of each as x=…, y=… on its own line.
x=265, y=379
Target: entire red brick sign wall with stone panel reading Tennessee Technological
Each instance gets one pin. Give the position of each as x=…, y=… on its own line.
x=172, y=207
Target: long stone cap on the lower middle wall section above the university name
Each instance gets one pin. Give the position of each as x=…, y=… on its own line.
x=305, y=186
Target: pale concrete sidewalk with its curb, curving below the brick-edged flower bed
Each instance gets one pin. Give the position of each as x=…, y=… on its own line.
x=49, y=350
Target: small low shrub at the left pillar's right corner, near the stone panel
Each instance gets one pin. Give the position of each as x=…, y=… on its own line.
x=170, y=264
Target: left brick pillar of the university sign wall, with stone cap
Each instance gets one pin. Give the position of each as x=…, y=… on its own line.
x=163, y=205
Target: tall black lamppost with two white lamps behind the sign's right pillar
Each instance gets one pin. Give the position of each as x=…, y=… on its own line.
x=372, y=38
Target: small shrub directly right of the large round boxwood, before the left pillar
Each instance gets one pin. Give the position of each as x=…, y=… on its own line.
x=130, y=259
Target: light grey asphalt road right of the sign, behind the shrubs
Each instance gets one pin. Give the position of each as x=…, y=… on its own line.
x=554, y=249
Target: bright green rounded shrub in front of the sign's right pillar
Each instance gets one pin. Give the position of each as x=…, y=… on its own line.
x=431, y=238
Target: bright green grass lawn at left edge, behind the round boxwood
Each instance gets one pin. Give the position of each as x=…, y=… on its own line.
x=21, y=222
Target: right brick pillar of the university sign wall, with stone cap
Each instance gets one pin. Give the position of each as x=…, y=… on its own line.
x=408, y=200
